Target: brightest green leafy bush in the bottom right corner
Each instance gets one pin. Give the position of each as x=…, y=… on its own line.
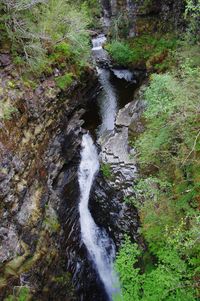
x=169, y=280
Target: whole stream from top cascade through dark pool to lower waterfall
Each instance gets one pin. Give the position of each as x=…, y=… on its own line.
x=100, y=247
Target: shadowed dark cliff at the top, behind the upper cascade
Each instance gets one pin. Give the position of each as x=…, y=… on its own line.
x=147, y=16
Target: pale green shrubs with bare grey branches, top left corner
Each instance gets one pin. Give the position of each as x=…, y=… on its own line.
x=39, y=31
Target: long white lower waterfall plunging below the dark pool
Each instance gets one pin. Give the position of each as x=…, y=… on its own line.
x=100, y=247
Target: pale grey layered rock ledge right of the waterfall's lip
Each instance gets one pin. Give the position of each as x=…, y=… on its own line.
x=116, y=151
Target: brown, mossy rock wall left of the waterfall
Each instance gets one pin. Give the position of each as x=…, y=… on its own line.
x=40, y=143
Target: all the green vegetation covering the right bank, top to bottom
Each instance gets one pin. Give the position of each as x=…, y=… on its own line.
x=168, y=193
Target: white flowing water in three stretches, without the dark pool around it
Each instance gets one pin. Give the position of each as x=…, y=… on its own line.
x=100, y=247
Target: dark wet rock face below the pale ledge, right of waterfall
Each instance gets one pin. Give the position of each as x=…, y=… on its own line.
x=111, y=213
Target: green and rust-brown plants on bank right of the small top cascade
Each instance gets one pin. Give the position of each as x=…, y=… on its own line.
x=150, y=51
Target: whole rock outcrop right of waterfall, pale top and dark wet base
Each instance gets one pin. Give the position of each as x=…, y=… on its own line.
x=107, y=203
